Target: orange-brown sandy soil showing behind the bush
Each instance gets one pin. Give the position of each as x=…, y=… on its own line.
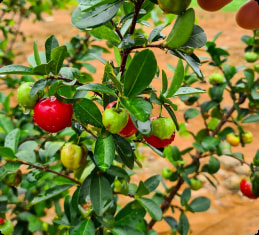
x=230, y=213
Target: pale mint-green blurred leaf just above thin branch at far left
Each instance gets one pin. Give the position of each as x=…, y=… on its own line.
x=26, y=151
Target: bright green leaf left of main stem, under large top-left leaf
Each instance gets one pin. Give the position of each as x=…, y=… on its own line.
x=106, y=33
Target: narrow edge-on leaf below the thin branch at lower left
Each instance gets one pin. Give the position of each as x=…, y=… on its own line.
x=51, y=192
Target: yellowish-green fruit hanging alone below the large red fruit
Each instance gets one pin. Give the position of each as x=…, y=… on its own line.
x=72, y=156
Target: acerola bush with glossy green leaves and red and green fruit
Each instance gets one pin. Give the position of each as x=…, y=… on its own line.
x=48, y=161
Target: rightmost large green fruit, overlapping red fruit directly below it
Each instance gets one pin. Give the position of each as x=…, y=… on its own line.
x=163, y=127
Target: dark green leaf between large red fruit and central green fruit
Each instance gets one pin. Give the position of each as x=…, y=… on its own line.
x=87, y=112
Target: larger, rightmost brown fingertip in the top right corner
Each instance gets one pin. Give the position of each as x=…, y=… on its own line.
x=247, y=15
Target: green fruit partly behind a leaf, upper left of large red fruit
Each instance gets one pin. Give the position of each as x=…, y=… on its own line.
x=23, y=96
